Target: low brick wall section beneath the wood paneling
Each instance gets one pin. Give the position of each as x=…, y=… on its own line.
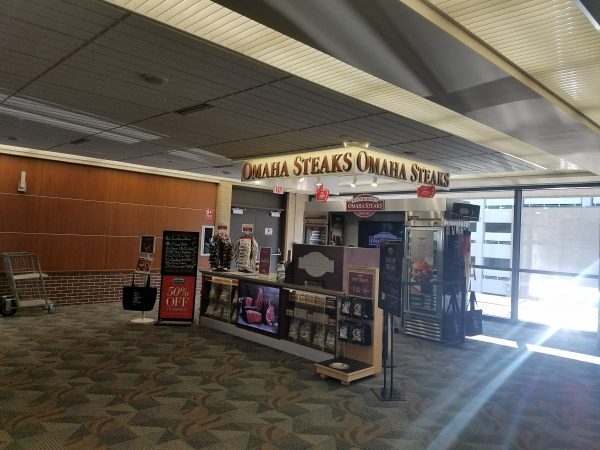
x=75, y=288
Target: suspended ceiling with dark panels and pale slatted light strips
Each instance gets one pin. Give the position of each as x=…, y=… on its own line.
x=487, y=92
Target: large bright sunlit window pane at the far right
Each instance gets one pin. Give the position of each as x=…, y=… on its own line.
x=559, y=258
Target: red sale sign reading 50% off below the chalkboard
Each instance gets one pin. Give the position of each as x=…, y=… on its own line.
x=177, y=297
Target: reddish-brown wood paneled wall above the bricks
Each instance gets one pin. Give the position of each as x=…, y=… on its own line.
x=85, y=218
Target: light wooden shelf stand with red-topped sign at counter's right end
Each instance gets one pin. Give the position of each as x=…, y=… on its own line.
x=357, y=361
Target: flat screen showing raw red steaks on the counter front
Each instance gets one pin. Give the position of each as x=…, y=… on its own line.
x=259, y=308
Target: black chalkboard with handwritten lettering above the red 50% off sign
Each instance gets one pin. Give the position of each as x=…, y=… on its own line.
x=180, y=253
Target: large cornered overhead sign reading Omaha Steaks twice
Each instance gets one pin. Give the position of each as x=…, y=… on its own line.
x=344, y=161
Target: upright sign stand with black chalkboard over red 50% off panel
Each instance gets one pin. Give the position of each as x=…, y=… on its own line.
x=179, y=270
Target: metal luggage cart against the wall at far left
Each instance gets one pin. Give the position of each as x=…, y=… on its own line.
x=26, y=283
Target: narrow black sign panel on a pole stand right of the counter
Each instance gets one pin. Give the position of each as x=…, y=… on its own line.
x=390, y=276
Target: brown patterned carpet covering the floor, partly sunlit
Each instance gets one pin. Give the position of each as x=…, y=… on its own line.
x=87, y=378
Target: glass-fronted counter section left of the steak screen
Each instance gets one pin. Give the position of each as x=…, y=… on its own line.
x=219, y=298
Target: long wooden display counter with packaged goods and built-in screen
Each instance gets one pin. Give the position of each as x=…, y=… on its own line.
x=339, y=330
